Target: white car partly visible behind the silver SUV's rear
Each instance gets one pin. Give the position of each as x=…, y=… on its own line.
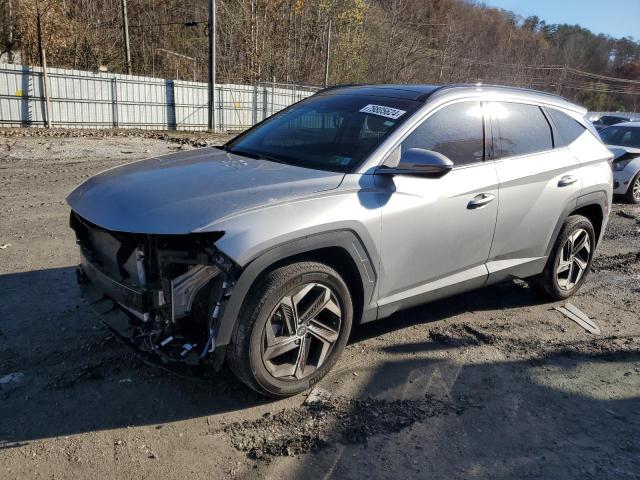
x=624, y=141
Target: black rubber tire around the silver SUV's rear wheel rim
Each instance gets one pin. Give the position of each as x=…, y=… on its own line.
x=546, y=283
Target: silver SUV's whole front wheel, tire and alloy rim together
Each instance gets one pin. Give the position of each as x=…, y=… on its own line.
x=293, y=326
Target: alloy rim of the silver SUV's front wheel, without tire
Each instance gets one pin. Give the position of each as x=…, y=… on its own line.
x=301, y=332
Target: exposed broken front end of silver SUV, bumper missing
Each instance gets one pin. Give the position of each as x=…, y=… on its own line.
x=164, y=294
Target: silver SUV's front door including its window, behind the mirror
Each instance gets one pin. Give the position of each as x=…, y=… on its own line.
x=437, y=232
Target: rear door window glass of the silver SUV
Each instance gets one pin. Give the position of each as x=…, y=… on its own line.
x=522, y=129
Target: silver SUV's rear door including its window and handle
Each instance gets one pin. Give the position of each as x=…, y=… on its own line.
x=538, y=183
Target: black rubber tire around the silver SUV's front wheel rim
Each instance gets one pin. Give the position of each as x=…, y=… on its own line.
x=244, y=354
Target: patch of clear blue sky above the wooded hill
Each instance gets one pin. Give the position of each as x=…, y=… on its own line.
x=617, y=18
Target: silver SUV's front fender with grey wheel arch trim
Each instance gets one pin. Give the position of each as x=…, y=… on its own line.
x=348, y=219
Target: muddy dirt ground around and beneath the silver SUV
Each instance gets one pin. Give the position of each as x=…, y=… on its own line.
x=490, y=384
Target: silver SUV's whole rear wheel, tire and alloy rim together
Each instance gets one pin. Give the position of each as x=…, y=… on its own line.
x=569, y=261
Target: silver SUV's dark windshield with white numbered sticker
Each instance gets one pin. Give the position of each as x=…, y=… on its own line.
x=326, y=132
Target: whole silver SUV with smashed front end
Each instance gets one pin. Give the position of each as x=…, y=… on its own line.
x=342, y=209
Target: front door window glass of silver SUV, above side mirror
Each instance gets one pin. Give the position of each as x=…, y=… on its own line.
x=455, y=131
